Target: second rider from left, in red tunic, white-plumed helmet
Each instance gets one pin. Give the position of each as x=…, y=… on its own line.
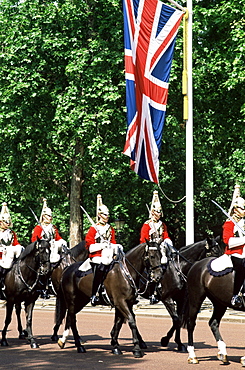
x=46, y=230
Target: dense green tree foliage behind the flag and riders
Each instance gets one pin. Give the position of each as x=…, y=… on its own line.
x=62, y=83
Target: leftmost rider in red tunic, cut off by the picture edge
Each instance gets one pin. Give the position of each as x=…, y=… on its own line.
x=10, y=248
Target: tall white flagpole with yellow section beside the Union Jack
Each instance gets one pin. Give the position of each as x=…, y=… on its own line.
x=188, y=105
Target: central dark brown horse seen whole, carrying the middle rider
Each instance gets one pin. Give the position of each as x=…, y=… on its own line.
x=121, y=292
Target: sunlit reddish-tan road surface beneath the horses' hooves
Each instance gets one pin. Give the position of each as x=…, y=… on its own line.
x=95, y=329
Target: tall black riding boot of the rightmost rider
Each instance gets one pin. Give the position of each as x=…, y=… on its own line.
x=239, y=269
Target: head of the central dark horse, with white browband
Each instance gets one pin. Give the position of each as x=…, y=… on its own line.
x=152, y=261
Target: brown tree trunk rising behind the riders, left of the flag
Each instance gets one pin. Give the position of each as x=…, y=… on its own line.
x=76, y=224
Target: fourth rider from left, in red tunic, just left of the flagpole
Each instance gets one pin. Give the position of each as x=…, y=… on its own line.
x=155, y=230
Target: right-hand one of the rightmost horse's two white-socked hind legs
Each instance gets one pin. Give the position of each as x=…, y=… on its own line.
x=214, y=322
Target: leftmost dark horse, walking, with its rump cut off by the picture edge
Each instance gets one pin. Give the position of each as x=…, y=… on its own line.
x=21, y=285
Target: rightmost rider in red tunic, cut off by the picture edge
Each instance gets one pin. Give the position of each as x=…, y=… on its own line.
x=234, y=239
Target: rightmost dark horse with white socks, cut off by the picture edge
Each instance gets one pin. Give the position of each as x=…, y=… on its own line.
x=219, y=289
